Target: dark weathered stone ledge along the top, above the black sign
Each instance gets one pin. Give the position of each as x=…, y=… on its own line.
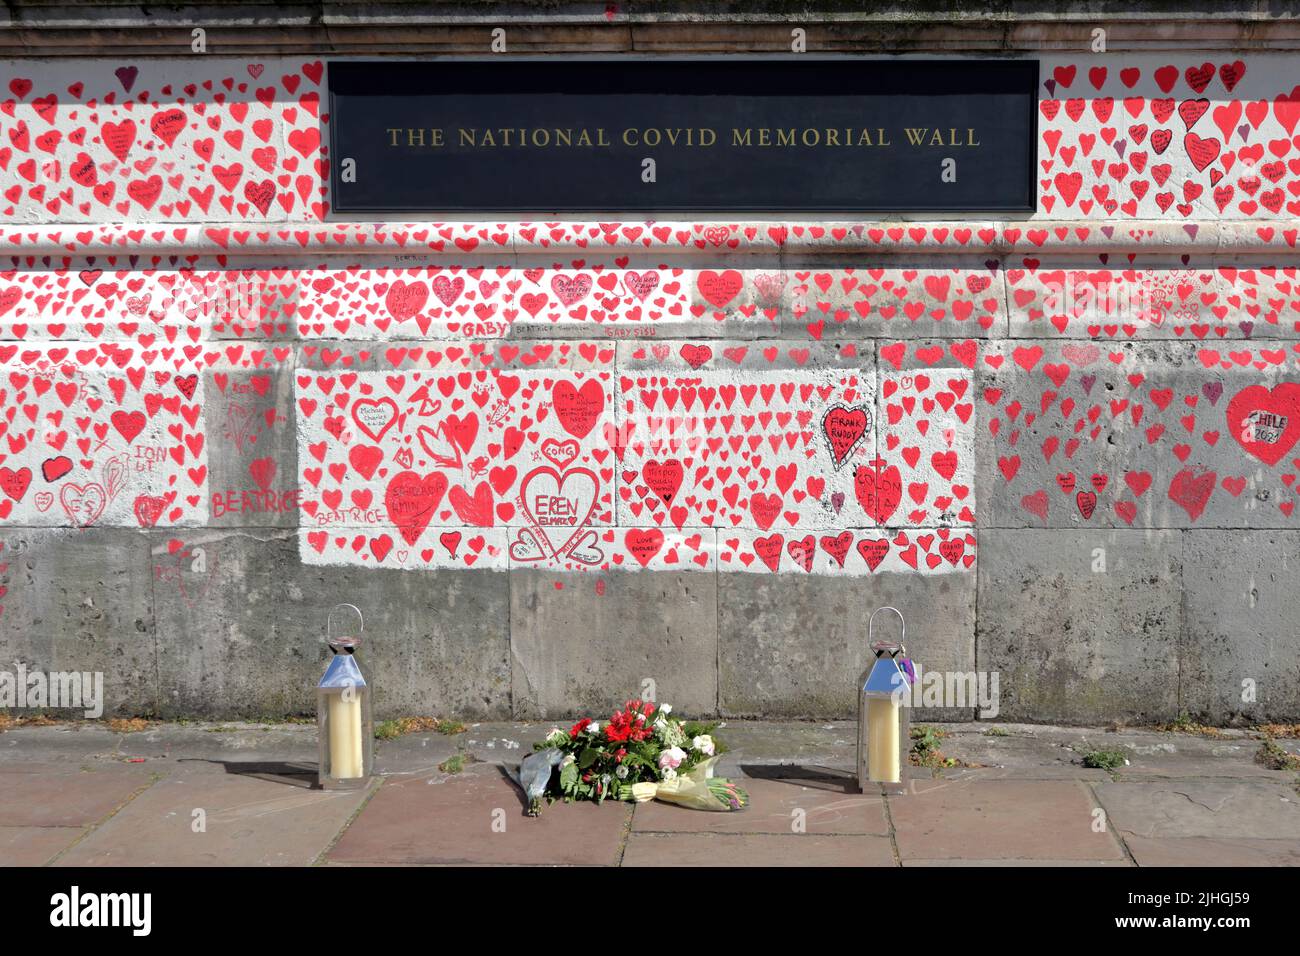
x=66, y=29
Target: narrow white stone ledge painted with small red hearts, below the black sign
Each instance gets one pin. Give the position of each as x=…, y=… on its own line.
x=708, y=239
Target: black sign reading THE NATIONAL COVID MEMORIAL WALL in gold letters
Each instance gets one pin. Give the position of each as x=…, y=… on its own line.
x=723, y=135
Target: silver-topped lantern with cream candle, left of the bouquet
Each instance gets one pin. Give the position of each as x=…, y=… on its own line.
x=344, y=713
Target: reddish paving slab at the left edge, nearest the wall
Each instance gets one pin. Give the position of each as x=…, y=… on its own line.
x=54, y=795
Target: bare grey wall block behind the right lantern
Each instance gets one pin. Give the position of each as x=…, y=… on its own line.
x=796, y=646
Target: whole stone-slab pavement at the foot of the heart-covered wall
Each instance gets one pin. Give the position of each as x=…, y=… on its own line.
x=240, y=794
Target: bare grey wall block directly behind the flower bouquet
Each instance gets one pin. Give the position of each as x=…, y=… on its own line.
x=584, y=644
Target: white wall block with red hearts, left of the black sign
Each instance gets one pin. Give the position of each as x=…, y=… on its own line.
x=258, y=176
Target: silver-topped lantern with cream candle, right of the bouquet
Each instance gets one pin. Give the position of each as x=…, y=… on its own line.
x=885, y=733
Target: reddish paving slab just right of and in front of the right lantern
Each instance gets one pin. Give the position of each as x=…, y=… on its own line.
x=999, y=820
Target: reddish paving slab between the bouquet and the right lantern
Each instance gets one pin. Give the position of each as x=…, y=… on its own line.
x=775, y=807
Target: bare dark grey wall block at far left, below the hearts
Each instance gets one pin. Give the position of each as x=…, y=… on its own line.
x=81, y=600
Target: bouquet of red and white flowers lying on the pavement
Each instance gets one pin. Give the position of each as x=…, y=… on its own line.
x=642, y=754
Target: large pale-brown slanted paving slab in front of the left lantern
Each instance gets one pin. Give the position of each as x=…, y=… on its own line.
x=250, y=820
